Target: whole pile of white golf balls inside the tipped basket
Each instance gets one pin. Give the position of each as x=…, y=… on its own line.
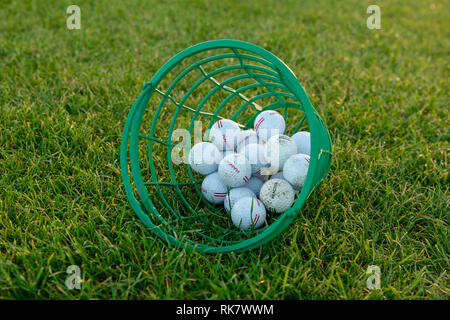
x=237, y=164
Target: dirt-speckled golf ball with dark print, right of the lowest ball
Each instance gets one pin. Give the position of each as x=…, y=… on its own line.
x=277, y=195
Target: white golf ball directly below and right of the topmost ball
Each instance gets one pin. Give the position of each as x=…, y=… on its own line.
x=278, y=149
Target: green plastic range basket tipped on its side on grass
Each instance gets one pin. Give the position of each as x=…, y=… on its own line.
x=209, y=81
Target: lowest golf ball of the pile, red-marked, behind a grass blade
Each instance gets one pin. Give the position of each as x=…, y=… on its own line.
x=248, y=213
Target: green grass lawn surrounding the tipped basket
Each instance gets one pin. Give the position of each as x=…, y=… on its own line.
x=384, y=94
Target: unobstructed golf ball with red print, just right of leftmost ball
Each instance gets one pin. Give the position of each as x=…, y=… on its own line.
x=235, y=170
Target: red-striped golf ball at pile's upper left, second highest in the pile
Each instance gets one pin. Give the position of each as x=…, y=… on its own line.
x=224, y=134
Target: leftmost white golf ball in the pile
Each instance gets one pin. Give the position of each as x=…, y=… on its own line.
x=204, y=158
